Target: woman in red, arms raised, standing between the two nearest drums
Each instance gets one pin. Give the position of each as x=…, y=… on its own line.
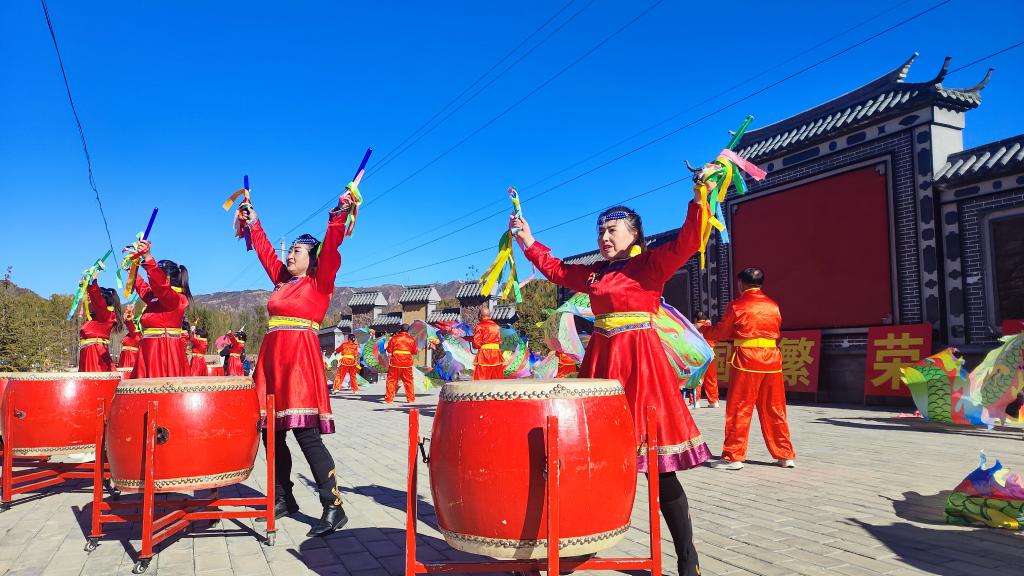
x=291, y=366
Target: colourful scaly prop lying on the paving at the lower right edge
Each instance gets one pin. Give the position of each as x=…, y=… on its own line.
x=993, y=498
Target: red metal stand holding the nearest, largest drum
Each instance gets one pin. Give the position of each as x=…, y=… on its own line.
x=553, y=564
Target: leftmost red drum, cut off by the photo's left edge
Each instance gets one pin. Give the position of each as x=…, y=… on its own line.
x=58, y=412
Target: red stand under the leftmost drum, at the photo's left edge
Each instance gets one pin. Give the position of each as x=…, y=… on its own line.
x=41, y=473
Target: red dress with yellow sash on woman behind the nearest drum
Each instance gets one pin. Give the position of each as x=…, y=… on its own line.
x=625, y=296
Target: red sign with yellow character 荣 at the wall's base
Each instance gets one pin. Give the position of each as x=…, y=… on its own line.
x=889, y=350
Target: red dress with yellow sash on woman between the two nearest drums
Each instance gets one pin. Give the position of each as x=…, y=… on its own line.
x=291, y=365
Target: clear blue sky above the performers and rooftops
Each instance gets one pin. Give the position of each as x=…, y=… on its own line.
x=180, y=100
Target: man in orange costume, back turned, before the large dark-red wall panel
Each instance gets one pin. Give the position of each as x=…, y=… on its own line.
x=754, y=323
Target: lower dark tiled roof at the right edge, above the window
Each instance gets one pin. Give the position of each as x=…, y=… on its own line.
x=984, y=163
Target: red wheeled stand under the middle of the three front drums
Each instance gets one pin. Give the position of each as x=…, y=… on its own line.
x=176, y=515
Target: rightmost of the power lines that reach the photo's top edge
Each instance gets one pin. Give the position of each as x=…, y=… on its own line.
x=671, y=133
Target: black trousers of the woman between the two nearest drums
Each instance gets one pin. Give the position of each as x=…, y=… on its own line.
x=320, y=461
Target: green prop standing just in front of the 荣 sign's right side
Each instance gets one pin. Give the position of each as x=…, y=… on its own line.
x=942, y=390
